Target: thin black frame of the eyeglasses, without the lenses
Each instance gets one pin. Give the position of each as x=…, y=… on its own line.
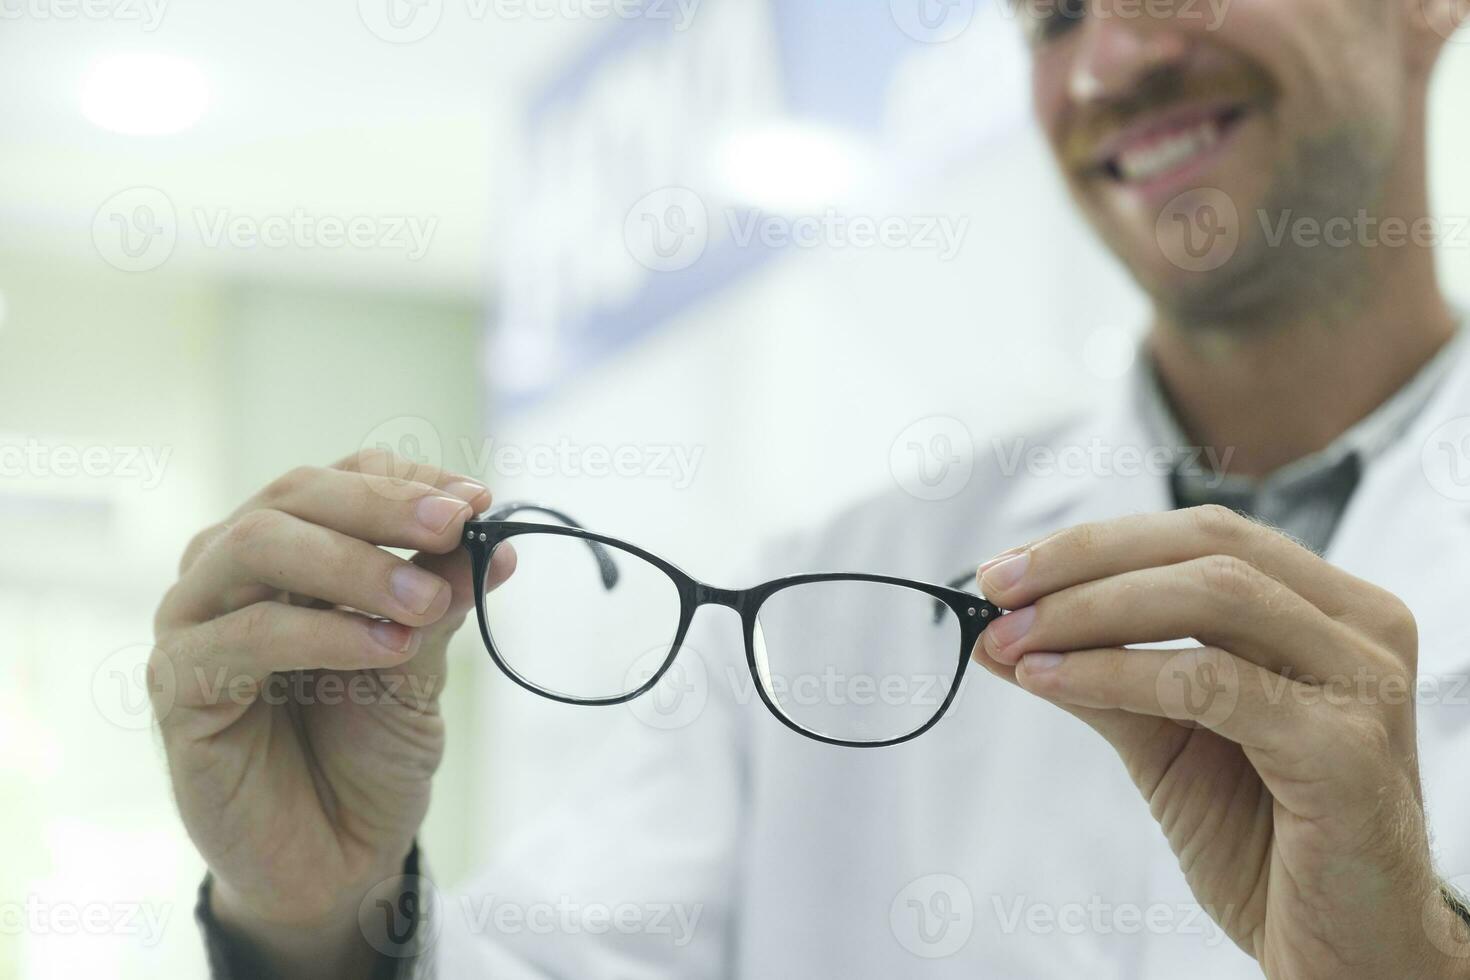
x=484, y=536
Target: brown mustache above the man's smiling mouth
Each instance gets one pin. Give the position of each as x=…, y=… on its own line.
x=1164, y=89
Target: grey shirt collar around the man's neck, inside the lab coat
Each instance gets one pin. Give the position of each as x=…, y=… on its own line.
x=1365, y=440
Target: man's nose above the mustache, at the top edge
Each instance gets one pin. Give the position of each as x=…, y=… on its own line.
x=1121, y=46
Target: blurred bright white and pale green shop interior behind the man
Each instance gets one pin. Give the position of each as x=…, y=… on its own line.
x=698, y=271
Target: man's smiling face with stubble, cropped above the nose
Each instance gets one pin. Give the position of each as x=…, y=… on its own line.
x=1174, y=118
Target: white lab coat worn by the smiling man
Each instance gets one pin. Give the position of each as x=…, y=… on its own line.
x=1008, y=843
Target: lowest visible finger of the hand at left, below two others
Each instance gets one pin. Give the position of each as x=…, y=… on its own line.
x=267, y=638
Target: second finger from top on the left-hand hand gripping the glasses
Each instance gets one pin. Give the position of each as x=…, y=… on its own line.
x=270, y=552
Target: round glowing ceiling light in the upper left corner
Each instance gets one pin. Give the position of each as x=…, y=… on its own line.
x=145, y=95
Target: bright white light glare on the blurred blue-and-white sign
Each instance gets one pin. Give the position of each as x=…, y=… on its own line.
x=792, y=167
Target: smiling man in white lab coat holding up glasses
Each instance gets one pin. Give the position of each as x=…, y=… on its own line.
x=1286, y=693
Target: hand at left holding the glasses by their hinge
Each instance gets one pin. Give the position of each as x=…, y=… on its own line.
x=302, y=725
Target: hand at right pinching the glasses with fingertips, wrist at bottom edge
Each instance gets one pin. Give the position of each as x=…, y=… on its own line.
x=1278, y=756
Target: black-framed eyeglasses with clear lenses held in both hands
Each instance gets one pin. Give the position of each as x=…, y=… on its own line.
x=847, y=659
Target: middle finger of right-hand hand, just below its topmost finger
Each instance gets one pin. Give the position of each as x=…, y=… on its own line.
x=1219, y=602
